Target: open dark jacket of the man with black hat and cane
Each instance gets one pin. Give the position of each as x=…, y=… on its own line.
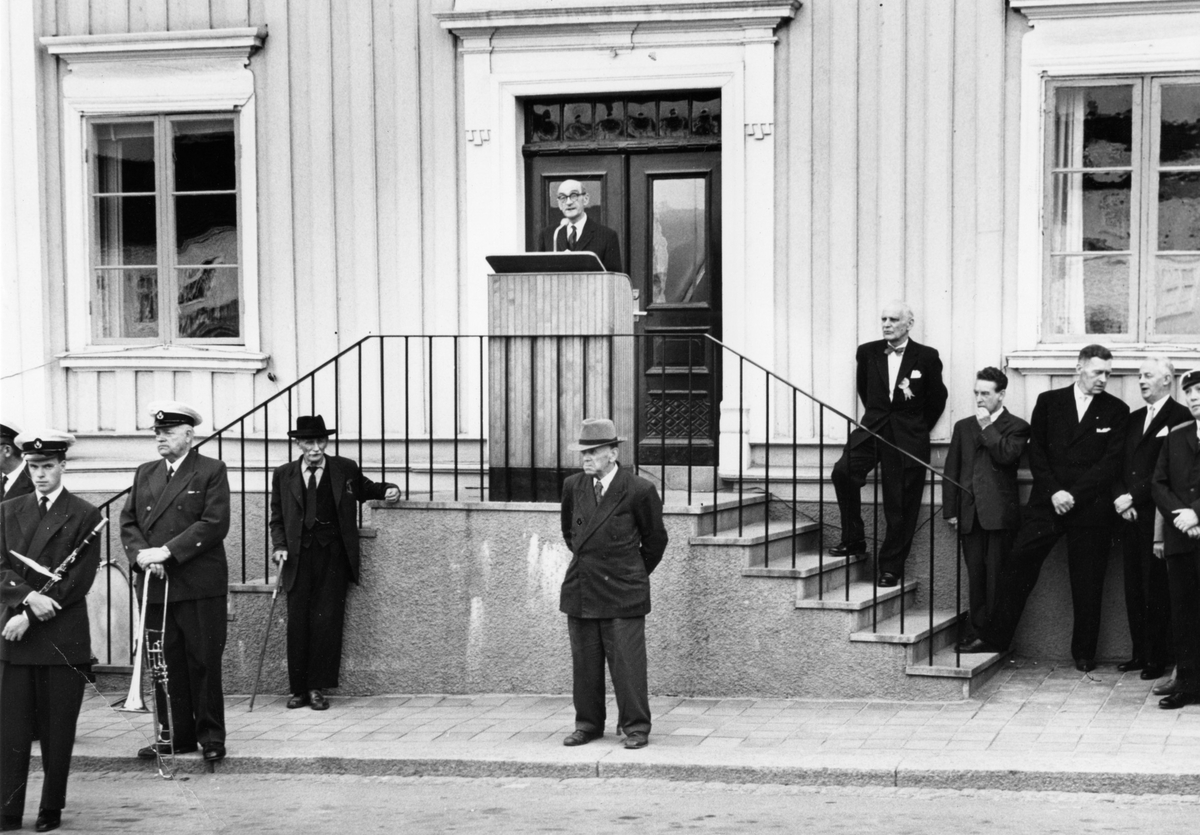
x=287, y=508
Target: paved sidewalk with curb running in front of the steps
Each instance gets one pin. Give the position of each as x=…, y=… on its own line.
x=1034, y=728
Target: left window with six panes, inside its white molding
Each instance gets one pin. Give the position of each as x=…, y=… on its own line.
x=165, y=245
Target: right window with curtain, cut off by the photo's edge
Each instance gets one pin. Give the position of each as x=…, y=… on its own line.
x=1121, y=224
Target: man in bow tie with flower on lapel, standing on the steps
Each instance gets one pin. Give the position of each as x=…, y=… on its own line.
x=901, y=386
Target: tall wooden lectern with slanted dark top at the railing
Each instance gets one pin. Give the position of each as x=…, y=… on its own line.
x=565, y=352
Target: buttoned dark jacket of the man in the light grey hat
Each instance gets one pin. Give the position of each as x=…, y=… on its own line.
x=615, y=548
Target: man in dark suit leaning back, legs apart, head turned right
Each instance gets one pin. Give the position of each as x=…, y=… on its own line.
x=1076, y=450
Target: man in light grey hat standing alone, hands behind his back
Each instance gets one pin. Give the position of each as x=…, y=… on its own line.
x=613, y=522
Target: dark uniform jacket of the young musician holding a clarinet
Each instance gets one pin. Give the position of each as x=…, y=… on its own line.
x=65, y=639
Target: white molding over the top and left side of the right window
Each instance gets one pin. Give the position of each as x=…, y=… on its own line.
x=1105, y=45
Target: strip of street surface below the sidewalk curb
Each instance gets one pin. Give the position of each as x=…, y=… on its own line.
x=226, y=803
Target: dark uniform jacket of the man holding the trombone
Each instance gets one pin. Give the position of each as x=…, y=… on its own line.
x=190, y=515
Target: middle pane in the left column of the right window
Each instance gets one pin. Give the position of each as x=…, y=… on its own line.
x=1090, y=213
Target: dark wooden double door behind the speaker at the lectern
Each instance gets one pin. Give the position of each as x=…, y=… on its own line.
x=665, y=207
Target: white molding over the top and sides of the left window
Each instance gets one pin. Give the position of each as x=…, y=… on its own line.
x=151, y=74
